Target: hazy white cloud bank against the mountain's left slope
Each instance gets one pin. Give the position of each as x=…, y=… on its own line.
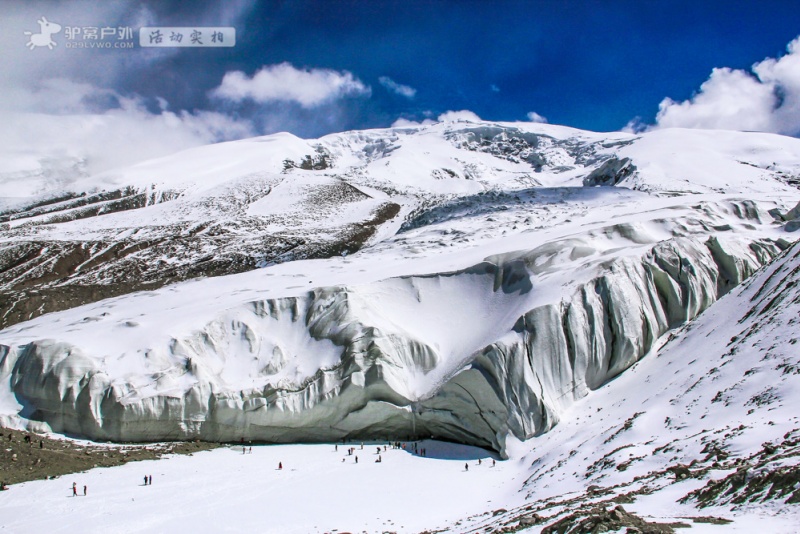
x=60, y=124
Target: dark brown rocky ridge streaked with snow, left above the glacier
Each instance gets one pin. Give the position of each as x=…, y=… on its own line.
x=42, y=276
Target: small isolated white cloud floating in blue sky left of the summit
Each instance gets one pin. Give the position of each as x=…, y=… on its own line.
x=285, y=83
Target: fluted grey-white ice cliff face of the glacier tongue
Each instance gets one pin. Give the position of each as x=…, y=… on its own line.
x=376, y=371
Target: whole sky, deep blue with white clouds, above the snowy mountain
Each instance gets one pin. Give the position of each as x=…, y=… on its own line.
x=588, y=64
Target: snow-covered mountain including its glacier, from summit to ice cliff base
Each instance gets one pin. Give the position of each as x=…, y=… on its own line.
x=467, y=281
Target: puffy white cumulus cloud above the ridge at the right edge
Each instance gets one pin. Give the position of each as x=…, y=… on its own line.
x=766, y=99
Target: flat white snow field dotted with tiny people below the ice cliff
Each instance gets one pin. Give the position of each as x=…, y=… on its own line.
x=227, y=491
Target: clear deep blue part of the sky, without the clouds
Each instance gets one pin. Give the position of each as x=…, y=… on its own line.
x=593, y=65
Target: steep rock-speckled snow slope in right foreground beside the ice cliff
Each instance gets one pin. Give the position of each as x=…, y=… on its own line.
x=708, y=419
